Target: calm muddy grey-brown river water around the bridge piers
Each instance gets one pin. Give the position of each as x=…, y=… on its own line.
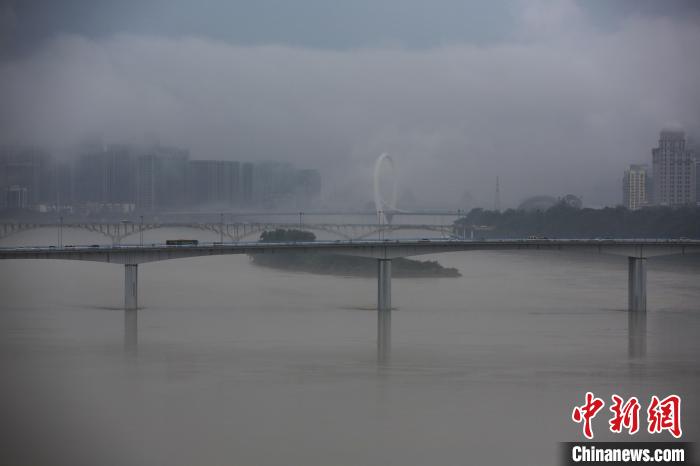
x=227, y=363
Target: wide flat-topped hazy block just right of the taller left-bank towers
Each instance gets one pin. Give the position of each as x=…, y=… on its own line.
x=213, y=182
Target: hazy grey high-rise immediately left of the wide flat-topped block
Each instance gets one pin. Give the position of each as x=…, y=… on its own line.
x=161, y=179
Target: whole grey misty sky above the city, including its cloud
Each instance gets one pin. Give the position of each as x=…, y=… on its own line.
x=554, y=97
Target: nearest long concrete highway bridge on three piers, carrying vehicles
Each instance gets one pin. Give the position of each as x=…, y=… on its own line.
x=637, y=252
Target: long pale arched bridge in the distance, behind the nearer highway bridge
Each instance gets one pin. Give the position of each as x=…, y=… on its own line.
x=118, y=232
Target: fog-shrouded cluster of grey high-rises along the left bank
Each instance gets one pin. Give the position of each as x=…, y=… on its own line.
x=123, y=178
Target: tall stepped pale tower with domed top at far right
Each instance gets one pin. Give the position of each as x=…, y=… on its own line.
x=674, y=171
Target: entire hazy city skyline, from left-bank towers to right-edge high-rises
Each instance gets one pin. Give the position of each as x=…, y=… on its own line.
x=121, y=177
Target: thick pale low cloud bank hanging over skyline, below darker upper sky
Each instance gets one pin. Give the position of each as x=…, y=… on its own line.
x=557, y=112
